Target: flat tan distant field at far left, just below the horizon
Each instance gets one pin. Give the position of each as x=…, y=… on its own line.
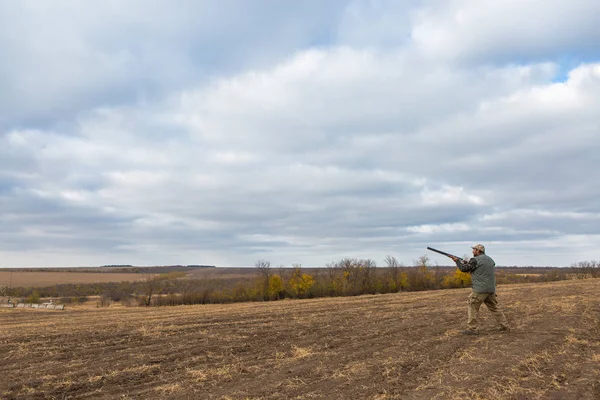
x=43, y=279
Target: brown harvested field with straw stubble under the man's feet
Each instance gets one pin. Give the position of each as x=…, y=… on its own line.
x=398, y=346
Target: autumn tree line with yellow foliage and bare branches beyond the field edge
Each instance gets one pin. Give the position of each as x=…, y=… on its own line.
x=346, y=277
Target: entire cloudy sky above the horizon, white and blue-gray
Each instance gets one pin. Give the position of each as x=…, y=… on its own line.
x=222, y=132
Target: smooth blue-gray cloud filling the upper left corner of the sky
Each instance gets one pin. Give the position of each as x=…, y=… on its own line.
x=68, y=56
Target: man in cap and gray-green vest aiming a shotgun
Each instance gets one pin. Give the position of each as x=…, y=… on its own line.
x=481, y=267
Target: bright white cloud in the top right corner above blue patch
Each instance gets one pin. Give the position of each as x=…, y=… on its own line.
x=508, y=32
